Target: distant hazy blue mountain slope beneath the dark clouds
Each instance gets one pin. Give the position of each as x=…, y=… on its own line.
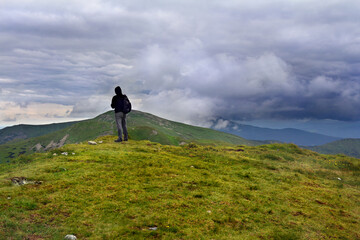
x=288, y=135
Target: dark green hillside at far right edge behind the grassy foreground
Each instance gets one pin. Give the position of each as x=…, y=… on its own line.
x=350, y=147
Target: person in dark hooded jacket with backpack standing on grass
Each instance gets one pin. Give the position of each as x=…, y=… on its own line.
x=122, y=106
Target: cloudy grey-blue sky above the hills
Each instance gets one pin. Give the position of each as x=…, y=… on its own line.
x=264, y=61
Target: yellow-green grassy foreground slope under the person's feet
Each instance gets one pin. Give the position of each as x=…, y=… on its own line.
x=145, y=190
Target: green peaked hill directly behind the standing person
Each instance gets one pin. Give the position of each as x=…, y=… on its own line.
x=141, y=126
